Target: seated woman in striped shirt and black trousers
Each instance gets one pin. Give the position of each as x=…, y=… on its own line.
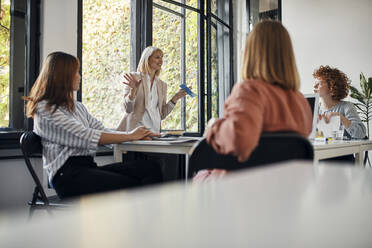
x=70, y=135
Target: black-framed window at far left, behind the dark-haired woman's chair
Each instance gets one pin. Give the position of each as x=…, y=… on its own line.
x=19, y=65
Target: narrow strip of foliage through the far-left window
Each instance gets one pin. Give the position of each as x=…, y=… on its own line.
x=4, y=62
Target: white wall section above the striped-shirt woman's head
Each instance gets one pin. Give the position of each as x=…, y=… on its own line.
x=58, y=27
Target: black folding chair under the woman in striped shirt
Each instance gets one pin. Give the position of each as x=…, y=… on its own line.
x=31, y=147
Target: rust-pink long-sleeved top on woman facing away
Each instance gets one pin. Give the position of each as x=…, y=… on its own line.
x=252, y=108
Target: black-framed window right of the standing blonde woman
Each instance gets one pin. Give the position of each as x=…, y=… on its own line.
x=193, y=38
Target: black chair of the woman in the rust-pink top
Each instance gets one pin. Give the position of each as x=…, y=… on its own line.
x=272, y=148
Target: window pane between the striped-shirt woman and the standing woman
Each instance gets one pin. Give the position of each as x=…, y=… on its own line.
x=105, y=57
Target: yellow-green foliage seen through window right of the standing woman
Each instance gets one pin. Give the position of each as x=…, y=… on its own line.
x=167, y=36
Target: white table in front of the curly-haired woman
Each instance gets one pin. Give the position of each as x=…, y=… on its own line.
x=338, y=148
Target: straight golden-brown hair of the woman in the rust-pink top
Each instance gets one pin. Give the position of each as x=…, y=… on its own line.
x=269, y=56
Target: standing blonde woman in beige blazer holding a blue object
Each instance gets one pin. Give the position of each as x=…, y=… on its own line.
x=145, y=95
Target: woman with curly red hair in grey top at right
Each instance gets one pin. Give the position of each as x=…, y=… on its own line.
x=332, y=85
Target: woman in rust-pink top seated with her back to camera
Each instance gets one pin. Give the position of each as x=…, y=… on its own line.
x=268, y=98
